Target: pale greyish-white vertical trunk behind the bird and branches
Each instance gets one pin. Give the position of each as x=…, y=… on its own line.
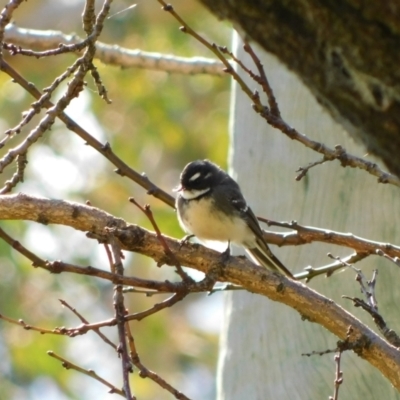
x=262, y=341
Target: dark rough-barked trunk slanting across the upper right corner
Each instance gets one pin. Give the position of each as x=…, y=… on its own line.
x=346, y=52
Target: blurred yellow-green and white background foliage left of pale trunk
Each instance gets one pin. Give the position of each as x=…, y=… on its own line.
x=157, y=122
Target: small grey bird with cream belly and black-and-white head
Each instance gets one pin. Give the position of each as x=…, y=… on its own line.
x=211, y=206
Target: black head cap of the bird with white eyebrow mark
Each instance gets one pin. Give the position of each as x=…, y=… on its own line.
x=200, y=175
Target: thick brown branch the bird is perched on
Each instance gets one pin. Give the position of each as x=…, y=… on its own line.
x=310, y=304
